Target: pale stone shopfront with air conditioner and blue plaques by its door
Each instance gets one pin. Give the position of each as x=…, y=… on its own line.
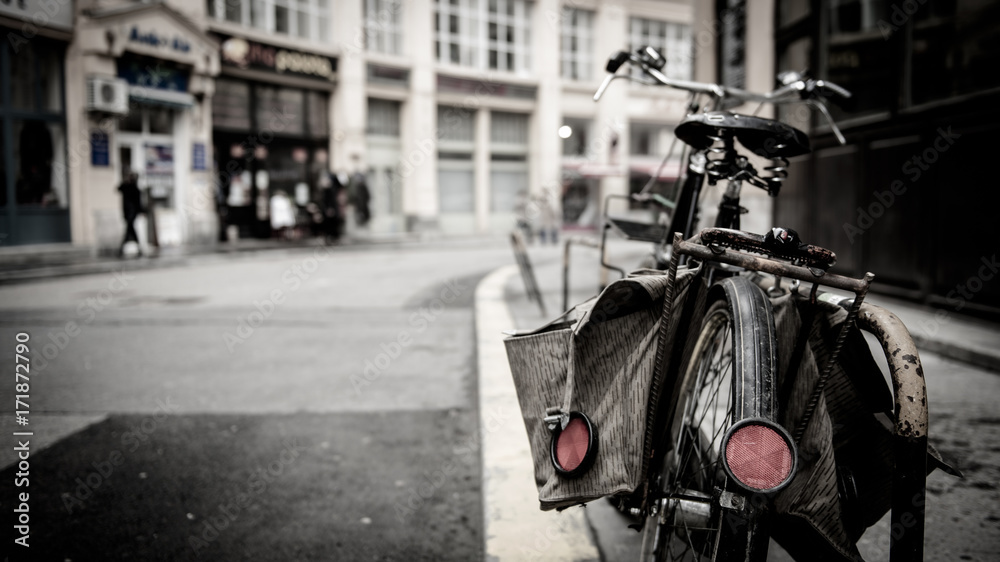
x=143, y=74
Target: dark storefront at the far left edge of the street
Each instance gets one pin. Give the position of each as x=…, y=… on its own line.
x=34, y=194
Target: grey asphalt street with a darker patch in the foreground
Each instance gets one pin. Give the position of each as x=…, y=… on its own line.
x=320, y=404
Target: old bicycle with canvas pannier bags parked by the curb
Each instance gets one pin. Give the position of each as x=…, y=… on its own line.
x=717, y=459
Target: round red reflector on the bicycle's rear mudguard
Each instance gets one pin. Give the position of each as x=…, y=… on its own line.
x=759, y=457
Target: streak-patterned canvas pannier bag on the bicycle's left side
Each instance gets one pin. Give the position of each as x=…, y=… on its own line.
x=599, y=360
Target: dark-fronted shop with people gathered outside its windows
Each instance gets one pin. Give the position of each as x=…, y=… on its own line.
x=271, y=131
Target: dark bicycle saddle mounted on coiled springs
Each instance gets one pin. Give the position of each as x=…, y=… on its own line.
x=764, y=137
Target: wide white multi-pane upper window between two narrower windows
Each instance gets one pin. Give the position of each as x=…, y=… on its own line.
x=492, y=35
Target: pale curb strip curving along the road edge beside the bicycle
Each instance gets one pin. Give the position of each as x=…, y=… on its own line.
x=514, y=528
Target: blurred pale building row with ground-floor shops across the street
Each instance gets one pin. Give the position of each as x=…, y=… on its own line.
x=460, y=114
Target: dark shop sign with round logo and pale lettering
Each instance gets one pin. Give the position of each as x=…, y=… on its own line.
x=243, y=53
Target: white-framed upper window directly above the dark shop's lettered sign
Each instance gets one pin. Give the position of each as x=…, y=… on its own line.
x=307, y=19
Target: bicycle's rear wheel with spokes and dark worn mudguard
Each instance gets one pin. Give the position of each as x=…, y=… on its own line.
x=734, y=349
